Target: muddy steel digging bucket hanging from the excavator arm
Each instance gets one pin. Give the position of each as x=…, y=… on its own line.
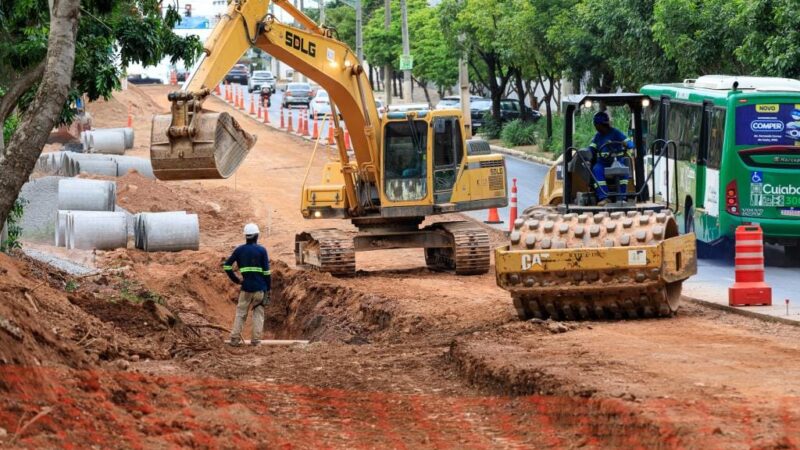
x=212, y=146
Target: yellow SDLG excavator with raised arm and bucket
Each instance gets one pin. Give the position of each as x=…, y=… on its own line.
x=406, y=166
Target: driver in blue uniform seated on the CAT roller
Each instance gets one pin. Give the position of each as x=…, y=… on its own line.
x=609, y=144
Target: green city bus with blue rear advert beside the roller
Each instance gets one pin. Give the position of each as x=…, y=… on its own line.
x=736, y=158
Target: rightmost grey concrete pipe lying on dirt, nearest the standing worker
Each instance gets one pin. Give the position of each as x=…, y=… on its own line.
x=166, y=231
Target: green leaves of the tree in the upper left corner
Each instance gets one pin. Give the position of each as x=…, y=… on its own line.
x=112, y=34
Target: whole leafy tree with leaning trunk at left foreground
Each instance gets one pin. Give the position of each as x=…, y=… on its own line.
x=49, y=59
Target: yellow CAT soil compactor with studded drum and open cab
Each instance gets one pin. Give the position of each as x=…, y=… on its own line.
x=572, y=257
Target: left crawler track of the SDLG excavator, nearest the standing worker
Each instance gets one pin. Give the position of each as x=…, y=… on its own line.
x=326, y=250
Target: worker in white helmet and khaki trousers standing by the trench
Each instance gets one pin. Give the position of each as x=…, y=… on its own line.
x=253, y=263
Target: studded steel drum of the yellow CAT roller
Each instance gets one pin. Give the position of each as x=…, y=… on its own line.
x=593, y=294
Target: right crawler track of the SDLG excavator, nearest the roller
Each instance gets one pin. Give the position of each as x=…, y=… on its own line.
x=470, y=253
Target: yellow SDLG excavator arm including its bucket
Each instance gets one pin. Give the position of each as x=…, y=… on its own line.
x=192, y=143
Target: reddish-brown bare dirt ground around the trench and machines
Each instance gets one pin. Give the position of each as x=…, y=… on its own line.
x=400, y=356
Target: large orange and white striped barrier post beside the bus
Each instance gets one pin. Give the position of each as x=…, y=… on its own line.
x=749, y=289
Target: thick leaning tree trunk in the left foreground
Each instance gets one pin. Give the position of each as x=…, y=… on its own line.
x=25, y=146
